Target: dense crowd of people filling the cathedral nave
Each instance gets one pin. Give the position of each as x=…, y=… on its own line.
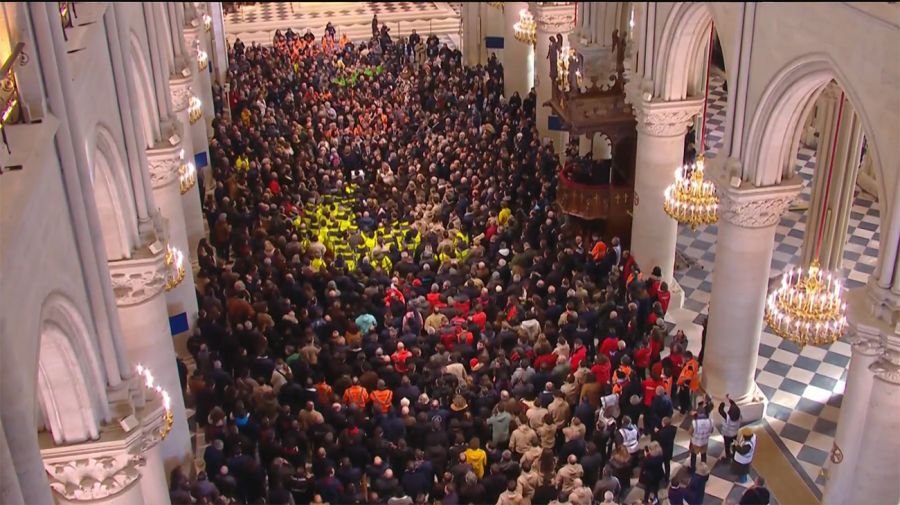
x=391, y=310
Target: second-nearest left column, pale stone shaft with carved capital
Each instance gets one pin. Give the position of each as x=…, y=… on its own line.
x=139, y=285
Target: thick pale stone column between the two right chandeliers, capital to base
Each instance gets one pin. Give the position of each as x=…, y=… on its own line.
x=747, y=220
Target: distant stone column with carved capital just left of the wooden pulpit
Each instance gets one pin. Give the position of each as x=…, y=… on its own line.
x=551, y=22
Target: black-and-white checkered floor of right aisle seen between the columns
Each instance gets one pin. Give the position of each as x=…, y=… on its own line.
x=804, y=387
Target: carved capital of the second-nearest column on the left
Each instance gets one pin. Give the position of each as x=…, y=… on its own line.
x=140, y=278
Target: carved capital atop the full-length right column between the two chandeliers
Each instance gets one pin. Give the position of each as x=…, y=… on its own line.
x=749, y=206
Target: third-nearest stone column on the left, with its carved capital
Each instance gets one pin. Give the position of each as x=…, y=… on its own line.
x=165, y=165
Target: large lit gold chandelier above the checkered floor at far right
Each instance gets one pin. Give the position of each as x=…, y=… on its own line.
x=808, y=308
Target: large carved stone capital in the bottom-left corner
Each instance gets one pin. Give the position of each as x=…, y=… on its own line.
x=98, y=469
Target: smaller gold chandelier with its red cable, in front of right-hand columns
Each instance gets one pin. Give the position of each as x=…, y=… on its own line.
x=691, y=200
